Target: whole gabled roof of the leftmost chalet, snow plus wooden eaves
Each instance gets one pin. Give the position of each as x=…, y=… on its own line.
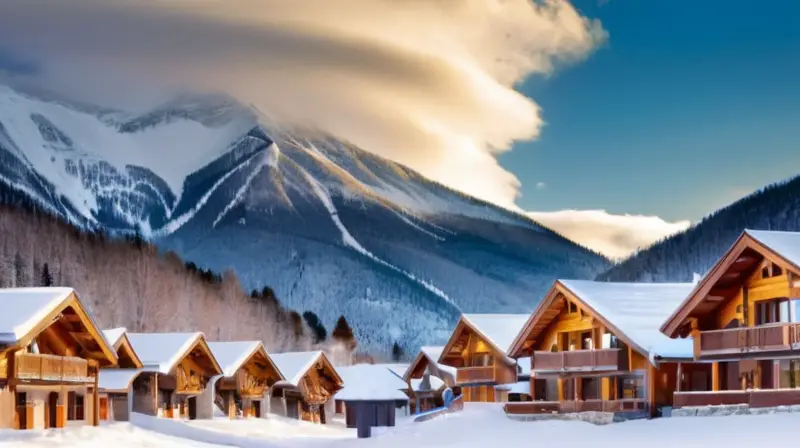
x=26, y=312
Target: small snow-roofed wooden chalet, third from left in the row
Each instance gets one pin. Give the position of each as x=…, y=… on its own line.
x=177, y=369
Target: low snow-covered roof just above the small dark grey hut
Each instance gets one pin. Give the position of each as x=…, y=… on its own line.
x=370, y=382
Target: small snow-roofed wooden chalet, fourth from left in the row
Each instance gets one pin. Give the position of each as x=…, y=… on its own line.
x=248, y=372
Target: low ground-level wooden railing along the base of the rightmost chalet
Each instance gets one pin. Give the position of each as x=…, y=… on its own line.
x=753, y=398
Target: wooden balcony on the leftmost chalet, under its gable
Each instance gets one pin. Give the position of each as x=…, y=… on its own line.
x=62, y=369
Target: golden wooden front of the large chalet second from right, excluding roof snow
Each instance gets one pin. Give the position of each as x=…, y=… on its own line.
x=580, y=361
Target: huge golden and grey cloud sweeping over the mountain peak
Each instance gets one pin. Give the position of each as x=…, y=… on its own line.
x=428, y=83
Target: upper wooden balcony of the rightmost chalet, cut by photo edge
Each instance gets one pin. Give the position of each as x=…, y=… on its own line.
x=760, y=339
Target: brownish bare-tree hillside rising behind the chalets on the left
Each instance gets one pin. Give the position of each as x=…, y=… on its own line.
x=129, y=283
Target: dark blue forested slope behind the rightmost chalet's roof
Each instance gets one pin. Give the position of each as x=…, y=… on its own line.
x=776, y=207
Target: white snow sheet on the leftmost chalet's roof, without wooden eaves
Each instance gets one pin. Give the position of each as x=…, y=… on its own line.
x=24, y=308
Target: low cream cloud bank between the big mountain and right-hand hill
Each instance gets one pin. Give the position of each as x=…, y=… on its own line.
x=615, y=236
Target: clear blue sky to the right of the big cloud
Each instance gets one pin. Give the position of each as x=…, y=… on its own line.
x=689, y=106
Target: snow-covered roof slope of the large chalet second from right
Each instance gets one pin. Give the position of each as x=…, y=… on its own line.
x=637, y=310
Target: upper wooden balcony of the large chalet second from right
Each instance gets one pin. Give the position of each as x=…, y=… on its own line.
x=612, y=359
